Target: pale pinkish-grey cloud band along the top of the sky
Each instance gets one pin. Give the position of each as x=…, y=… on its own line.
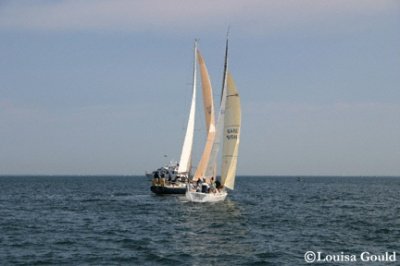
x=176, y=15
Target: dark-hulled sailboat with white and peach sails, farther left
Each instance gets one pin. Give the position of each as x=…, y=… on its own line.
x=173, y=179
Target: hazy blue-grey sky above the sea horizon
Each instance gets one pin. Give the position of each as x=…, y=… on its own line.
x=103, y=86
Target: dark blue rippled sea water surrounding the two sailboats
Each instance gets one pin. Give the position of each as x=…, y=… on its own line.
x=265, y=221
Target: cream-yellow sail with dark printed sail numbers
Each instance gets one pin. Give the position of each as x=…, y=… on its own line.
x=231, y=134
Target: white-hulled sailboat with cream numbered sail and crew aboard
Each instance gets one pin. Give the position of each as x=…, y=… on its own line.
x=228, y=127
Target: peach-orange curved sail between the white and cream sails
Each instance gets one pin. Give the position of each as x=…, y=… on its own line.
x=209, y=115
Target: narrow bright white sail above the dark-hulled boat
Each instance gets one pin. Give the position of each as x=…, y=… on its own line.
x=186, y=154
